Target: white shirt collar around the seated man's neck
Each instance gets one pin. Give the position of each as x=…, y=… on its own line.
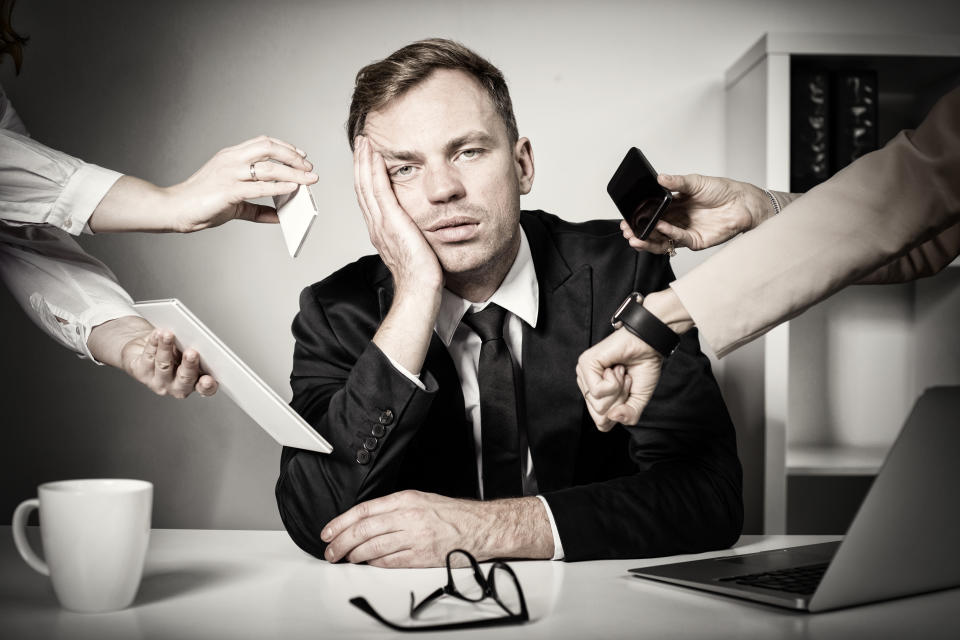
x=519, y=293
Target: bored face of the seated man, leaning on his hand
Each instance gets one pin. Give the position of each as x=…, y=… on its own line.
x=454, y=170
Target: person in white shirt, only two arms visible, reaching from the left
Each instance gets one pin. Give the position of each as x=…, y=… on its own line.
x=45, y=195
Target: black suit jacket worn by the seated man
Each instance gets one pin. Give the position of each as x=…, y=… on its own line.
x=671, y=484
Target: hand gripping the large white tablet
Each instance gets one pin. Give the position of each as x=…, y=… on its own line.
x=150, y=357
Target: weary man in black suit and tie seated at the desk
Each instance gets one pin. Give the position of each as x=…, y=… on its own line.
x=442, y=369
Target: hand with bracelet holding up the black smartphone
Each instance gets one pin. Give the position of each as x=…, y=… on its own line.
x=706, y=212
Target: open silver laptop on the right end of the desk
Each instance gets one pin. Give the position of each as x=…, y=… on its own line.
x=904, y=540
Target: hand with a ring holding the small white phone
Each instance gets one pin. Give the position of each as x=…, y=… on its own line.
x=215, y=194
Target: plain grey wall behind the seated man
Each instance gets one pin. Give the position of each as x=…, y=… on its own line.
x=154, y=89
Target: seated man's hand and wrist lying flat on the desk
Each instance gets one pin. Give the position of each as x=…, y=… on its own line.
x=416, y=529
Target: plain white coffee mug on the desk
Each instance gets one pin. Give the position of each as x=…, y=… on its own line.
x=95, y=535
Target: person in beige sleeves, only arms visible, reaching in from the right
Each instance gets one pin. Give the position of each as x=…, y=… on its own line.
x=891, y=216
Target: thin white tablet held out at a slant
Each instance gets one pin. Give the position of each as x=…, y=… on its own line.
x=235, y=378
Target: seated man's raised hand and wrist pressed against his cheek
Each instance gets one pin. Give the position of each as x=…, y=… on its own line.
x=405, y=332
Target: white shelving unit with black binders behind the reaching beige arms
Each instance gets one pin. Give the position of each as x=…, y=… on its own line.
x=838, y=381
